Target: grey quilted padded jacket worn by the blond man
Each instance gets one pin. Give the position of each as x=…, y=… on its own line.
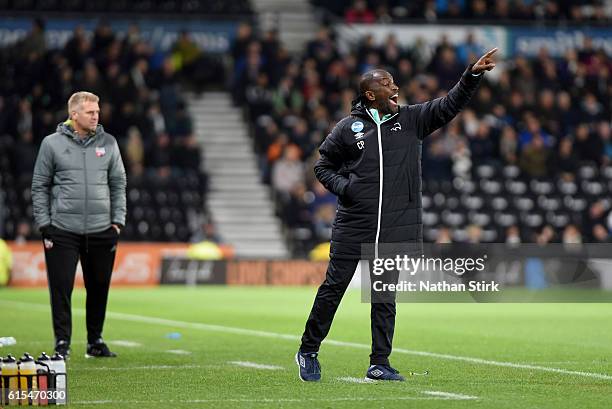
x=79, y=185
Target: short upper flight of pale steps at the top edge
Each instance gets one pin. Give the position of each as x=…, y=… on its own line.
x=294, y=20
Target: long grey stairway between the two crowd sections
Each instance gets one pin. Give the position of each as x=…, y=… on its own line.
x=240, y=204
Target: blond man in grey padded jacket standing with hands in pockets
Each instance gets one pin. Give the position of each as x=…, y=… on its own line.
x=79, y=198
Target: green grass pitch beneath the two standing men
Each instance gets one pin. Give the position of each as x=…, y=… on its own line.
x=479, y=355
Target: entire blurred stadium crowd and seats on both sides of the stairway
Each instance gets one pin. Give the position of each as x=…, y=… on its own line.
x=530, y=160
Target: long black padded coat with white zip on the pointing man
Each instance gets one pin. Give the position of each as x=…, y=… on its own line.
x=375, y=170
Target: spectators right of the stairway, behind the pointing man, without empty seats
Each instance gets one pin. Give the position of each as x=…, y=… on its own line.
x=546, y=116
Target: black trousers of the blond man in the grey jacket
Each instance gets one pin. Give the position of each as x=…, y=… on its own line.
x=97, y=254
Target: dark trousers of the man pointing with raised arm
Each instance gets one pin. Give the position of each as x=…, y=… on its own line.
x=382, y=315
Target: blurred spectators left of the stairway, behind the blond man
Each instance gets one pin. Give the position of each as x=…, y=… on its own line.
x=140, y=104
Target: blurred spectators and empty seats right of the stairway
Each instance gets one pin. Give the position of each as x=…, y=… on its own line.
x=543, y=120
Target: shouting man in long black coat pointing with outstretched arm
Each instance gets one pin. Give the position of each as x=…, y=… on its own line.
x=372, y=161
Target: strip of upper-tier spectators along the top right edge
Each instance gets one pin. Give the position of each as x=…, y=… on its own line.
x=387, y=11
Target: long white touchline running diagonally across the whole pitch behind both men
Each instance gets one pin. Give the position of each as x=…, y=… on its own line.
x=294, y=338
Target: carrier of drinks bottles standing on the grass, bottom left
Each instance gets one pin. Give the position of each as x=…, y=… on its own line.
x=33, y=382
